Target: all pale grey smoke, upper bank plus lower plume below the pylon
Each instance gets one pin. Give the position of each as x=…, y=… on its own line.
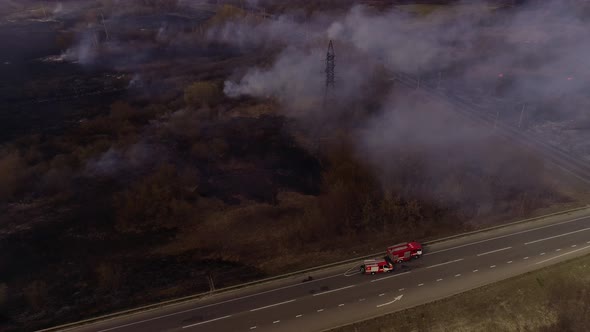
x=536, y=54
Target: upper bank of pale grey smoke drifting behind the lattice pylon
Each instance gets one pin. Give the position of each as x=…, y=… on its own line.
x=538, y=50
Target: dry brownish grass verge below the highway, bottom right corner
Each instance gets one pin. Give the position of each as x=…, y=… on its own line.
x=555, y=298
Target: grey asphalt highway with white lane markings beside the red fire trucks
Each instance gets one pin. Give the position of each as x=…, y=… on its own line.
x=342, y=295
